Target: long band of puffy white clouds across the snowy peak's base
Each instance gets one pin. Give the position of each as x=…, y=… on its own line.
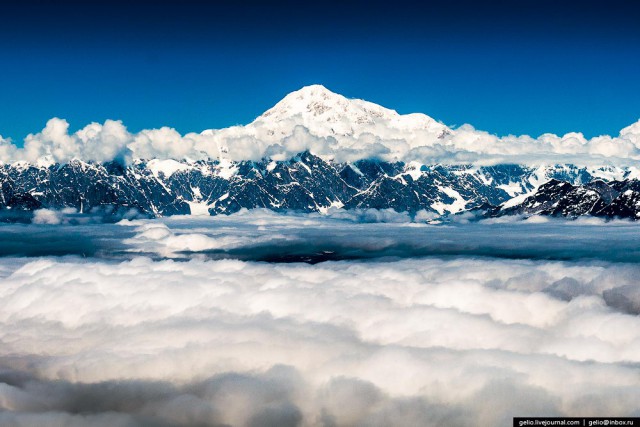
x=405, y=139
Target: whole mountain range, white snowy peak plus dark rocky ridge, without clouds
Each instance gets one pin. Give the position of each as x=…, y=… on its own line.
x=315, y=180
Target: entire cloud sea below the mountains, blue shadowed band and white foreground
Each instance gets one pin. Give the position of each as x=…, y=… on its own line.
x=191, y=322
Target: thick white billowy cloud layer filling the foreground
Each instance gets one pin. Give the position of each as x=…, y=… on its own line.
x=234, y=343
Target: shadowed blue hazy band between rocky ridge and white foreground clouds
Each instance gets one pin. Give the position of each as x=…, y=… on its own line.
x=263, y=235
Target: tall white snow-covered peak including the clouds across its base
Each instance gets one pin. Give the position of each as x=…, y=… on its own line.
x=331, y=126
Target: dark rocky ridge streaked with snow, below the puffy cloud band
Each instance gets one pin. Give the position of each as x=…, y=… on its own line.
x=307, y=183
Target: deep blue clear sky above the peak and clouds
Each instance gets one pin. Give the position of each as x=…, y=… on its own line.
x=520, y=67
